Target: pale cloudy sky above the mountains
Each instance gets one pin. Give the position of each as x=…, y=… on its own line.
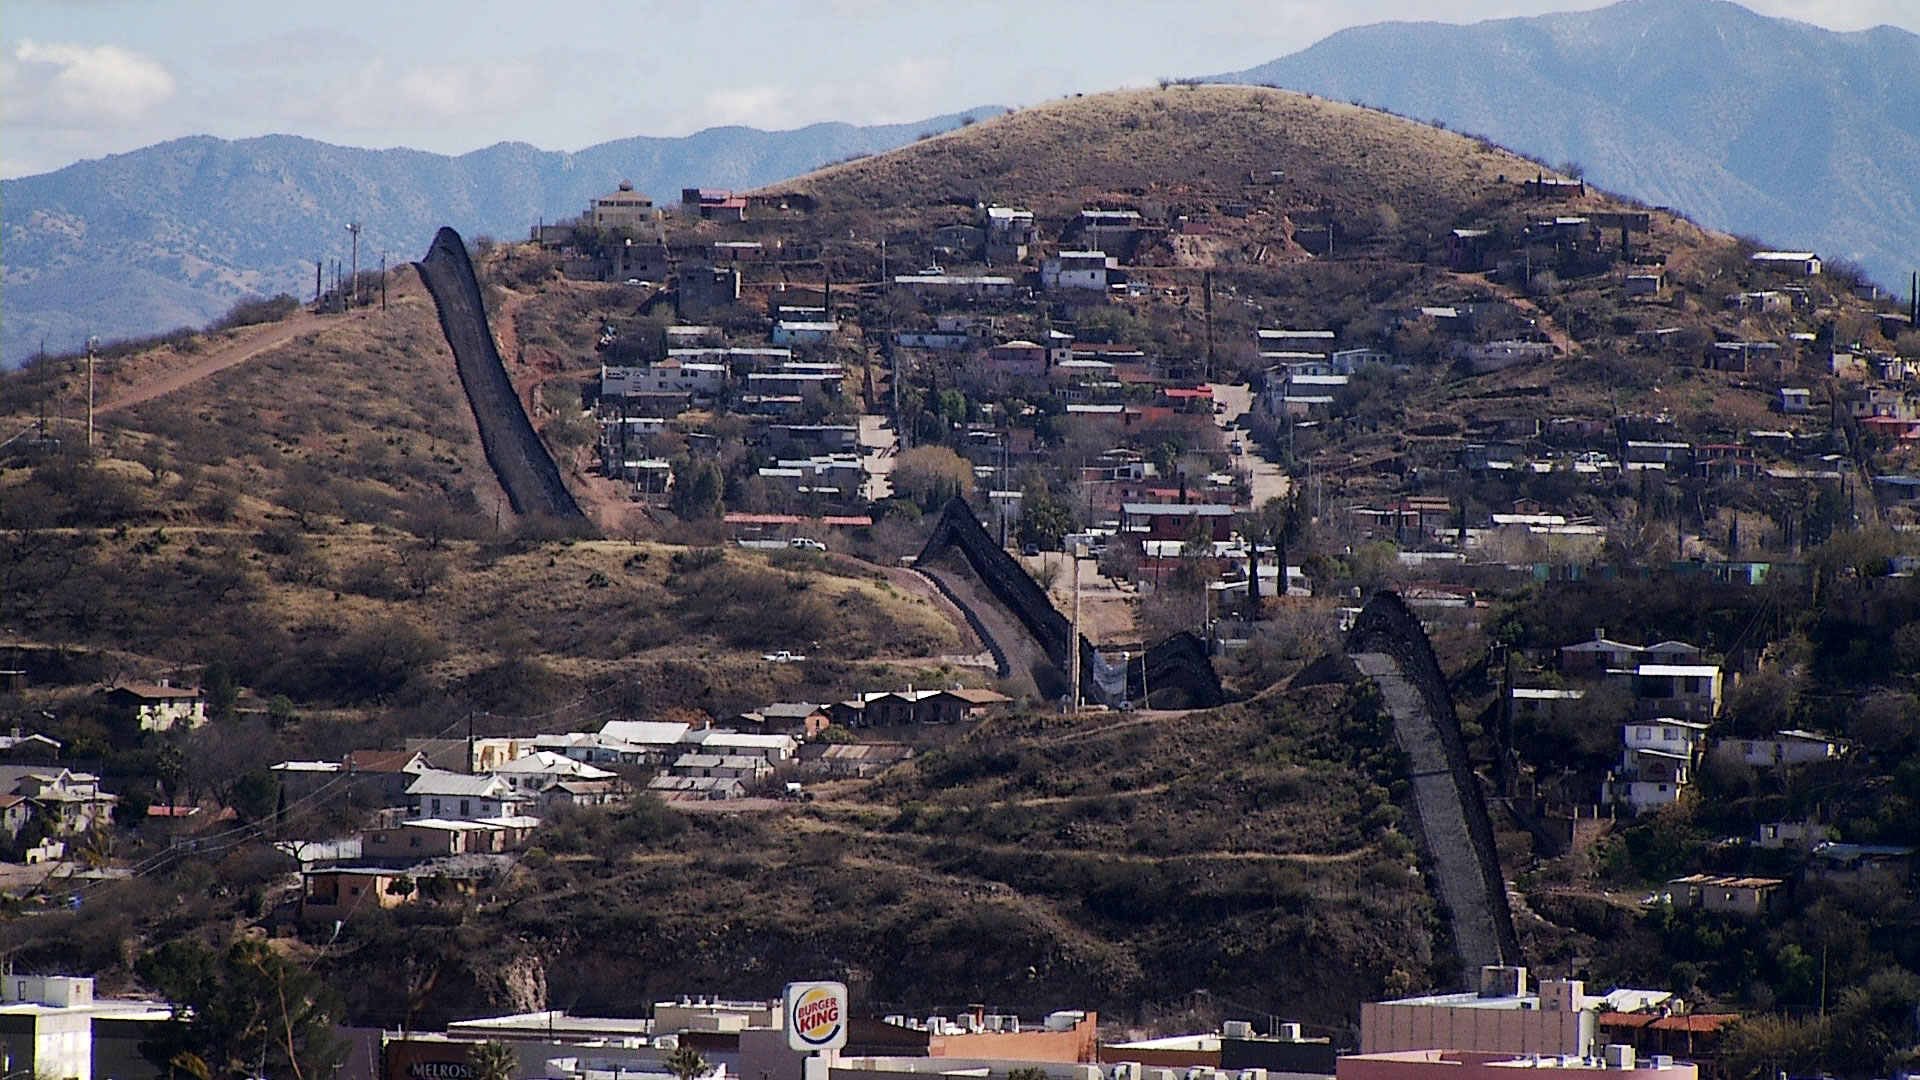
x=93, y=78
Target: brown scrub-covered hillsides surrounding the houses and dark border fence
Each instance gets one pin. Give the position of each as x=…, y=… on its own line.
x=316, y=524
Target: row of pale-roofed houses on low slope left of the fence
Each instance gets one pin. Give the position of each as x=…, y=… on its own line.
x=452, y=812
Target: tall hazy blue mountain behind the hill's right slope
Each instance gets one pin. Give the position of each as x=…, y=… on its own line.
x=1792, y=134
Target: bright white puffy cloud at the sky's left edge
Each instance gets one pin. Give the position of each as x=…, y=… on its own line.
x=80, y=87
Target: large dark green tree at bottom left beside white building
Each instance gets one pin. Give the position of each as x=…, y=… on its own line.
x=243, y=1012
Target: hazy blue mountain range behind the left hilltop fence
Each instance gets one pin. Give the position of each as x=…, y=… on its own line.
x=174, y=233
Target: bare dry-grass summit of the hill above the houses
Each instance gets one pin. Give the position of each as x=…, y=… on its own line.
x=1186, y=143
